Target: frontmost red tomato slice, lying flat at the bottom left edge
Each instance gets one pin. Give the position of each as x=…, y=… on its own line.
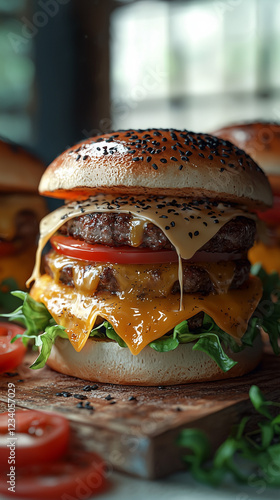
x=79, y=475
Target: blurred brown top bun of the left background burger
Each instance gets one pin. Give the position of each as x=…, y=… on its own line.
x=20, y=171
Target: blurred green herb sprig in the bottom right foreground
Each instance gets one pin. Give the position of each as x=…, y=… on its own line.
x=258, y=451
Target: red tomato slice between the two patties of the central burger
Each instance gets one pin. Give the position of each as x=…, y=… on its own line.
x=115, y=255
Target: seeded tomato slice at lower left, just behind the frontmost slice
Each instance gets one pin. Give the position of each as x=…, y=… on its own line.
x=39, y=437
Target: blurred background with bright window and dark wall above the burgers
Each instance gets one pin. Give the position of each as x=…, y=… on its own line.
x=73, y=68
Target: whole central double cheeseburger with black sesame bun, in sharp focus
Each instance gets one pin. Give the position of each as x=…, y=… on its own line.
x=148, y=273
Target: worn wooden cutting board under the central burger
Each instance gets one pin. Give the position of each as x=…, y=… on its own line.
x=135, y=428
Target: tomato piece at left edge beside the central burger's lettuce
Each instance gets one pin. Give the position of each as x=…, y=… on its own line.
x=11, y=355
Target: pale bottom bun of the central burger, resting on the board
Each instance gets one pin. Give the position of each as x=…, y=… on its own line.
x=105, y=361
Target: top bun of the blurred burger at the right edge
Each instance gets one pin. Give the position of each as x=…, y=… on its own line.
x=261, y=140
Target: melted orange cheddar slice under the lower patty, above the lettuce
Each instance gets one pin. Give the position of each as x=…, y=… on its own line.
x=139, y=322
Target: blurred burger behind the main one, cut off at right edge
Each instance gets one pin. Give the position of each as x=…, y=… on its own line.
x=261, y=140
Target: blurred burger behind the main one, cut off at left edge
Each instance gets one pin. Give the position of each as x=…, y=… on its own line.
x=21, y=209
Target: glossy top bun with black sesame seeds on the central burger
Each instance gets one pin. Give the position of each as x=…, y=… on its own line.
x=157, y=162
